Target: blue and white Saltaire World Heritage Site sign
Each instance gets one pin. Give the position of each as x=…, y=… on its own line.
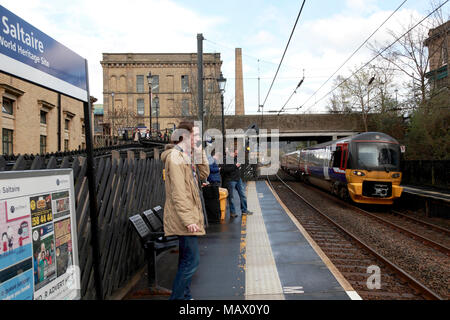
x=28, y=53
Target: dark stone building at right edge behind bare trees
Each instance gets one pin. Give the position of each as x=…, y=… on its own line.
x=438, y=43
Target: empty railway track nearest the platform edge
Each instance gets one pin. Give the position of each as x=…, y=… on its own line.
x=351, y=255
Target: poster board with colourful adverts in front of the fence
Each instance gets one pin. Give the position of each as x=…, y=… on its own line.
x=38, y=248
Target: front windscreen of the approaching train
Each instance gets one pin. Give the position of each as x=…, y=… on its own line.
x=378, y=156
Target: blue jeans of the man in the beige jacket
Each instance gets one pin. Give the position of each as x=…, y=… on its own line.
x=188, y=261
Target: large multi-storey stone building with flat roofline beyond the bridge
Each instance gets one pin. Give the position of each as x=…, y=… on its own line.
x=126, y=93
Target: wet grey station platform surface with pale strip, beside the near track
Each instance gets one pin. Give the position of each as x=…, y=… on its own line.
x=264, y=256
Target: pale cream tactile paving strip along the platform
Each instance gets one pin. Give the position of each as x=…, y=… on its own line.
x=261, y=275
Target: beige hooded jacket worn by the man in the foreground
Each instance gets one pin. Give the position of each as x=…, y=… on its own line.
x=183, y=205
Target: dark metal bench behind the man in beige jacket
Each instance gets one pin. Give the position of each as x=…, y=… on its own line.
x=150, y=230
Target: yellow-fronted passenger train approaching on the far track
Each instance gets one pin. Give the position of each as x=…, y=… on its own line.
x=364, y=168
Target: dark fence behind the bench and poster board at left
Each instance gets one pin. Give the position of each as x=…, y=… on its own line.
x=126, y=183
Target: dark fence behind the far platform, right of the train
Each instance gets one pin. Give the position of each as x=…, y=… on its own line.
x=426, y=173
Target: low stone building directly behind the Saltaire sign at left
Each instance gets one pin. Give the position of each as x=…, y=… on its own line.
x=37, y=120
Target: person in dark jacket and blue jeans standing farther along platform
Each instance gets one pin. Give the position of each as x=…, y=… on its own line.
x=231, y=175
